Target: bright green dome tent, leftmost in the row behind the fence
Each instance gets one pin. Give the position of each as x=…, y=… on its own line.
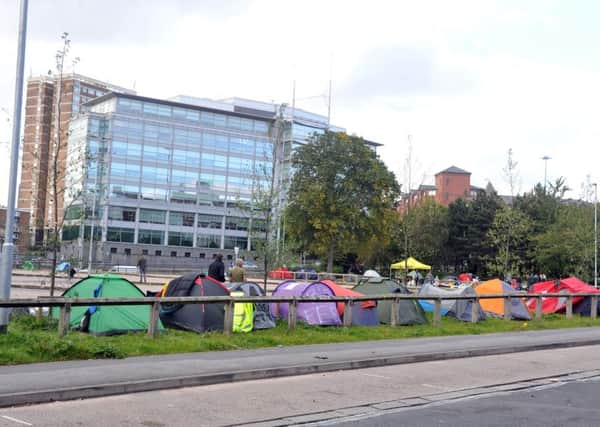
x=107, y=319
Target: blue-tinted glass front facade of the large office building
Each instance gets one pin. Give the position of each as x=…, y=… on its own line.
x=172, y=175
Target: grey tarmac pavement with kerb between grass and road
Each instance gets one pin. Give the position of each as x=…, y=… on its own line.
x=46, y=382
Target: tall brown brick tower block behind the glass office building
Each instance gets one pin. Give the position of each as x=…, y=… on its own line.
x=39, y=136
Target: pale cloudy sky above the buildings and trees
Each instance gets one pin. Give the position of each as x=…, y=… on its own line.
x=467, y=80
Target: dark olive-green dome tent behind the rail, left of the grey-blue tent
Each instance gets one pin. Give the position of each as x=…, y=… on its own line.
x=409, y=311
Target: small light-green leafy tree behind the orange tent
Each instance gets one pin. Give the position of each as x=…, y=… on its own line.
x=508, y=238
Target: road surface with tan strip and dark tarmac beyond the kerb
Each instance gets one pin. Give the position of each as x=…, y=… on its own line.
x=376, y=396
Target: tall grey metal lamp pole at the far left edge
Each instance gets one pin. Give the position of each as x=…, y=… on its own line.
x=8, y=246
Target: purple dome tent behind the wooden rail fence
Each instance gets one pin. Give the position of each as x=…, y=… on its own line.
x=313, y=313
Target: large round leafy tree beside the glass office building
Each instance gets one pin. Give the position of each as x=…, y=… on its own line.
x=339, y=195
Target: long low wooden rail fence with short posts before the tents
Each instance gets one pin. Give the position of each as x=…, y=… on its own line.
x=65, y=305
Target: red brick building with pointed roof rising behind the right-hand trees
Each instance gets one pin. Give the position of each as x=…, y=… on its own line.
x=451, y=184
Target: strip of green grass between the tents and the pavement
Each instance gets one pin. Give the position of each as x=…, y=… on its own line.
x=31, y=340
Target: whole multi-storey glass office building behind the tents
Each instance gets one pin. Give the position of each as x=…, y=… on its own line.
x=173, y=179
